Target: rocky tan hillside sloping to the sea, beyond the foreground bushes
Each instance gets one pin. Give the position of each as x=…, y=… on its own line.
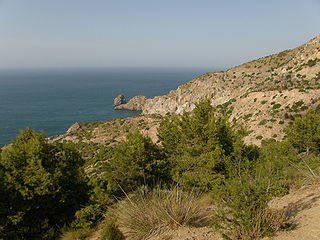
x=264, y=95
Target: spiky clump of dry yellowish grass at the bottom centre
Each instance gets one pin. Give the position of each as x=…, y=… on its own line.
x=148, y=213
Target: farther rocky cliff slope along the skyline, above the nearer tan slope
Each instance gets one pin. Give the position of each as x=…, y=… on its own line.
x=291, y=69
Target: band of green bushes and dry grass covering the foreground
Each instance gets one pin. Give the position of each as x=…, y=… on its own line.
x=138, y=189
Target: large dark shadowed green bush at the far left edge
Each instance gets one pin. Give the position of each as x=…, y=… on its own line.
x=44, y=185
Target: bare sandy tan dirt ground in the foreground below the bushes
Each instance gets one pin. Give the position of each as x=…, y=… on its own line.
x=302, y=206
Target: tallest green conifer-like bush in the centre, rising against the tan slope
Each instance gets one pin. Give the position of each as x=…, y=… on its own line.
x=198, y=146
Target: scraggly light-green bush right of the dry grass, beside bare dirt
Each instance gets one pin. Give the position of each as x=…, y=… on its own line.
x=243, y=212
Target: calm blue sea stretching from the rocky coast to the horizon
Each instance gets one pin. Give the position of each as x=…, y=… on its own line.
x=52, y=100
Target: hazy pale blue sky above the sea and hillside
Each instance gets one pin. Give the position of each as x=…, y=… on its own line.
x=151, y=33
